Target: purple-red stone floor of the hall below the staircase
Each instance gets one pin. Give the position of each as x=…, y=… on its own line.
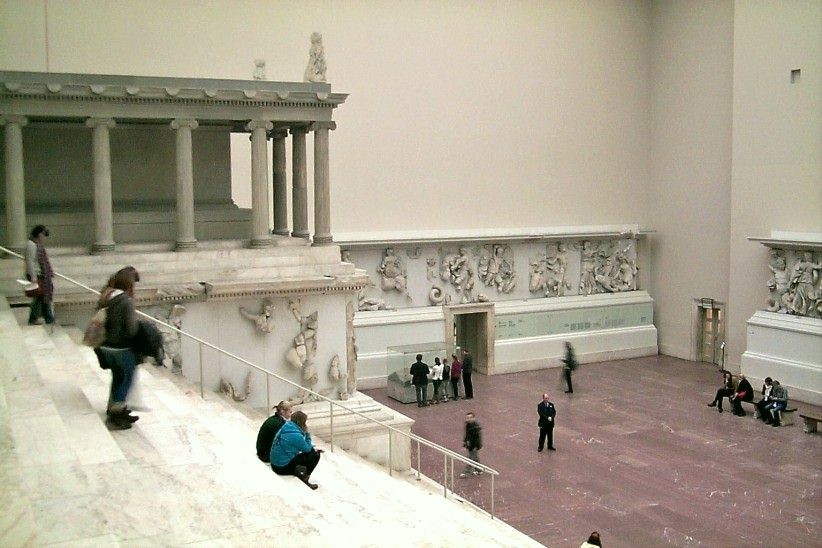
x=640, y=458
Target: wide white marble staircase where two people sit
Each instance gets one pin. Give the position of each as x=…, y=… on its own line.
x=186, y=473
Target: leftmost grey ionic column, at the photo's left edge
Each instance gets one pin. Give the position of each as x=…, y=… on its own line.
x=15, y=182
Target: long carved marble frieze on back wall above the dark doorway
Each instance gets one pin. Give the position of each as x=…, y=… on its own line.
x=439, y=273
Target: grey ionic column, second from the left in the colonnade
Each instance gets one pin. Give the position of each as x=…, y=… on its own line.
x=101, y=164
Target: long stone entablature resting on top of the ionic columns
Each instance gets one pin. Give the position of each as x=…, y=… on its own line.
x=147, y=97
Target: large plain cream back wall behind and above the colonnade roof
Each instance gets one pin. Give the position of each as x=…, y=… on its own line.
x=540, y=109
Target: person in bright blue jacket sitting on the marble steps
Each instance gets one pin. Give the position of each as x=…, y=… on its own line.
x=293, y=453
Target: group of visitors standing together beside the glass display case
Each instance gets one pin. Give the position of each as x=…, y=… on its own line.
x=441, y=374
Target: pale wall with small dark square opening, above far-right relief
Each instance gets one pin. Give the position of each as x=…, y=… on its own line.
x=777, y=142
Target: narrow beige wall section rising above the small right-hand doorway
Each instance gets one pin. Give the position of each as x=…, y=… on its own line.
x=690, y=155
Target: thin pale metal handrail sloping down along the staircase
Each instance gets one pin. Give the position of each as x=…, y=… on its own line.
x=413, y=437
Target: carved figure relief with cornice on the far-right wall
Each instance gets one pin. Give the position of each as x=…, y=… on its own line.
x=795, y=263
